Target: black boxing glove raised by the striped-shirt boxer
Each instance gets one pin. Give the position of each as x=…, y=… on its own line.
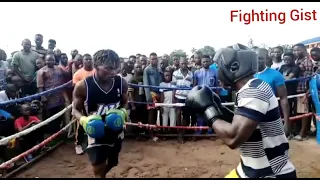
x=203, y=100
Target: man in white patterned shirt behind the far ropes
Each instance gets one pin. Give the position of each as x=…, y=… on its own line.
x=182, y=78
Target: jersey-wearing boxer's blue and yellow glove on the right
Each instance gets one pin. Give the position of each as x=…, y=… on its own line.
x=116, y=118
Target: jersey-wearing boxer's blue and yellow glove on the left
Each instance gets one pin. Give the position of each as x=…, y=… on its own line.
x=93, y=126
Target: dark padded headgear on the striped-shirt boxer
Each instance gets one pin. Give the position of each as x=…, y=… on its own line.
x=235, y=64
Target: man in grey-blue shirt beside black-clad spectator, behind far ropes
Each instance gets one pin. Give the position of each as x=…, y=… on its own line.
x=152, y=77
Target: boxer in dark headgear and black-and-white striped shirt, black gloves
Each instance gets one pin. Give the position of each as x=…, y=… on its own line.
x=256, y=126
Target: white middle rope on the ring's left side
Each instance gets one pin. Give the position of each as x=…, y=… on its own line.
x=5, y=140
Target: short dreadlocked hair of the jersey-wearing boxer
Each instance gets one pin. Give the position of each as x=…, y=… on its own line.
x=103, y=57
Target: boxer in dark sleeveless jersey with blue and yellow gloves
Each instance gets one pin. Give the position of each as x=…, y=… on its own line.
x=97, y=95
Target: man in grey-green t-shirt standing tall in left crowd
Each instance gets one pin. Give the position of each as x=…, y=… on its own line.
x=24, y=65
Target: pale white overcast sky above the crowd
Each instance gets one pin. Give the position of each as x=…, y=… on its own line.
x=145, y=27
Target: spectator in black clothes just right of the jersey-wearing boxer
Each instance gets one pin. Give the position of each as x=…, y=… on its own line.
x=139, y=112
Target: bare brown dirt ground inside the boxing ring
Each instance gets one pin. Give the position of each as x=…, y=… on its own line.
x=201, y=159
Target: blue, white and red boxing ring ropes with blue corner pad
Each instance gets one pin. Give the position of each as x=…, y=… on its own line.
x=68, y=127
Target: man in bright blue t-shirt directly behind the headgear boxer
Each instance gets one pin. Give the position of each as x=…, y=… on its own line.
x=277, y=82
